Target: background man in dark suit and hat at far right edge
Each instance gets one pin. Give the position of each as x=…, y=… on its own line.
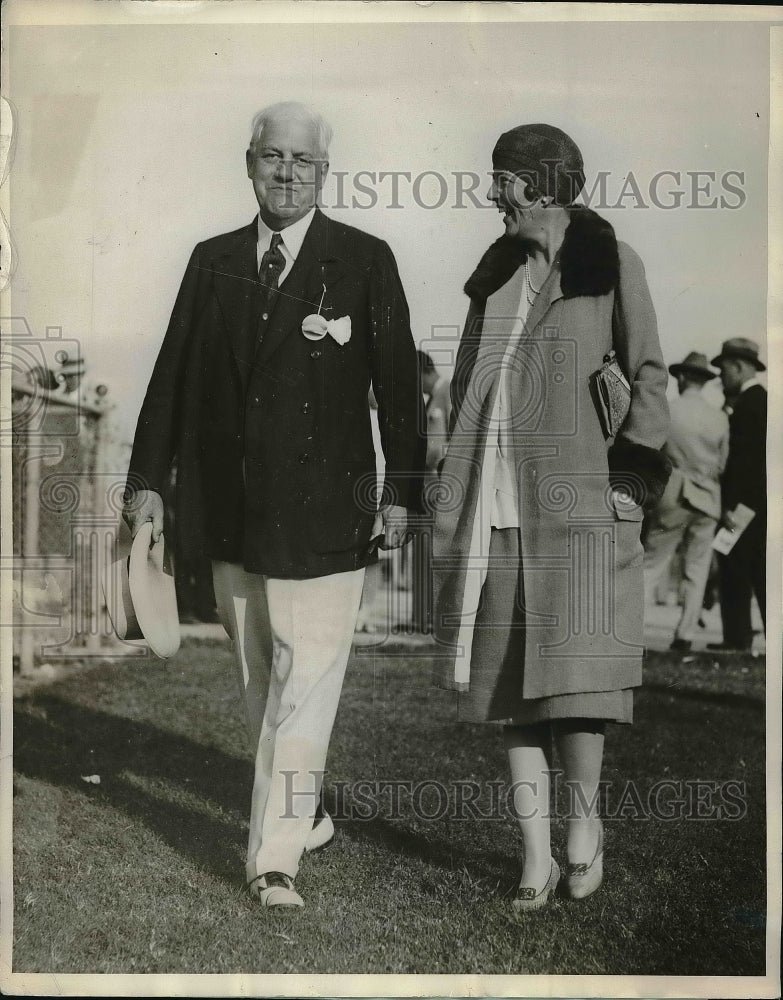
x=743, y=570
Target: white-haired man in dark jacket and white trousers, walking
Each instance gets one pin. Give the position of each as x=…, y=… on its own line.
x=275, y=460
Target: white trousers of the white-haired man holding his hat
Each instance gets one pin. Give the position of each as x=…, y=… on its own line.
x=292, y=640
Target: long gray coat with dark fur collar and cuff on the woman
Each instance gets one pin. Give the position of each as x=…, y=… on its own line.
x=581, y=551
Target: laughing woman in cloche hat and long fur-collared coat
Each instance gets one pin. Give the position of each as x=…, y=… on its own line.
x=537, y=553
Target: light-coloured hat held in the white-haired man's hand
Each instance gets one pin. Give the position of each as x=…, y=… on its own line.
x=140, y=595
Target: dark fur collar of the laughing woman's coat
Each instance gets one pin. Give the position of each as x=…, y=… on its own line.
x=588, y=259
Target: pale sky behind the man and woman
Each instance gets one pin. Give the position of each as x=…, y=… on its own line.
x=131, y=142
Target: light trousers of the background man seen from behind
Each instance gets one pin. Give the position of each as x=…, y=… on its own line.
x=695, y=530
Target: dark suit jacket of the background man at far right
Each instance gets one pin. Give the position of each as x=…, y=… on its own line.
x=745, y=476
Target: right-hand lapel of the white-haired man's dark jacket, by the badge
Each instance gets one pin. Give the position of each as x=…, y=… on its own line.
x=316, y=266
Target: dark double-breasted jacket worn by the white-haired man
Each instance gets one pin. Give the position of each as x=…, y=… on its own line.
x=271, y=431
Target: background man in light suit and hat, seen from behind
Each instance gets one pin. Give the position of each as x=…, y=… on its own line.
x=686, y=516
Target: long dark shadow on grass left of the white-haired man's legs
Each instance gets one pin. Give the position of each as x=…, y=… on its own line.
x=147, y=773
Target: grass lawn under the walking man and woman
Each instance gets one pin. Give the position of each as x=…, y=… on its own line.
x=144, y=872
